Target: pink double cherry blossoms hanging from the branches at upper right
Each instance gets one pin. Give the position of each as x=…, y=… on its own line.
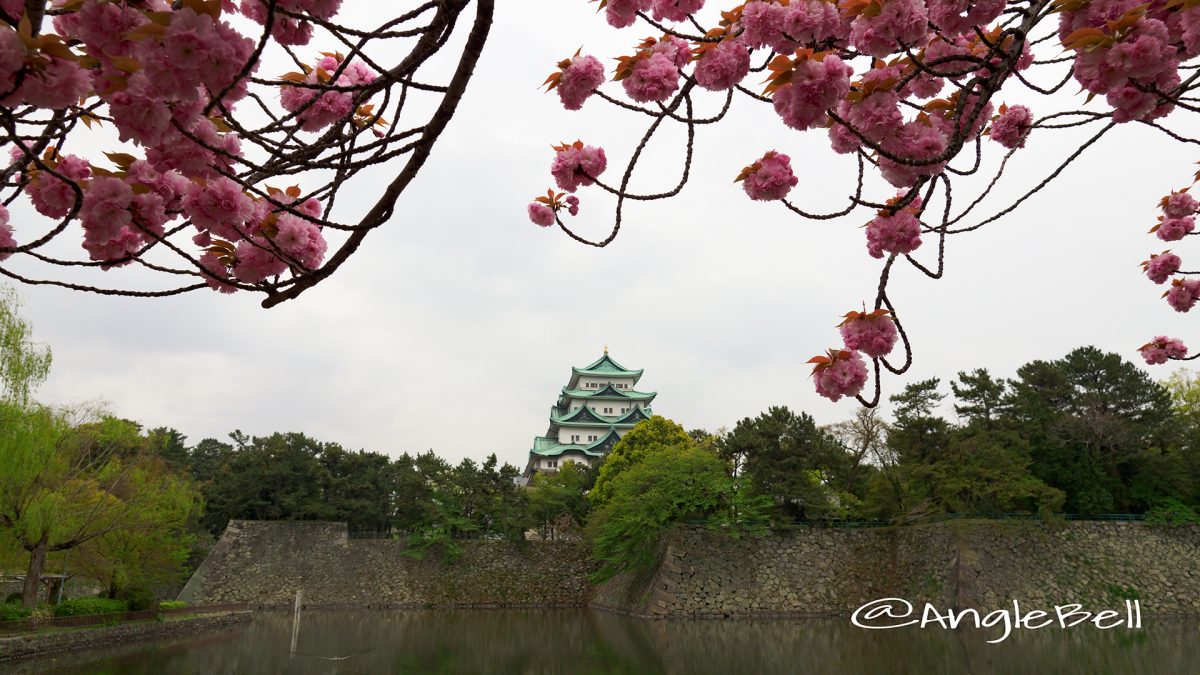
x=873, y=76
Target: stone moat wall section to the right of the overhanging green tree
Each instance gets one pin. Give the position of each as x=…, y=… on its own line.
x=982, y=565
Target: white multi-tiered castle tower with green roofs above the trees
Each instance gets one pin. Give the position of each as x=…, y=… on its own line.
x=597, y=407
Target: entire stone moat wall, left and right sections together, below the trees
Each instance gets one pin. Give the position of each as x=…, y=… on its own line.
x=809, y=571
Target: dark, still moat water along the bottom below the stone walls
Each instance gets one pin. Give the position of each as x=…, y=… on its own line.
x=585, y=642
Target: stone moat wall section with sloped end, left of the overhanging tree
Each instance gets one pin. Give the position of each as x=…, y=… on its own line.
x=266, y=564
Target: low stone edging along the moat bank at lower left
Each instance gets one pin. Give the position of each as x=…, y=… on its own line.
x=46, y=644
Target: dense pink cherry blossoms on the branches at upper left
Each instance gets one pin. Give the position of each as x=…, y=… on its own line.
x=166, y=76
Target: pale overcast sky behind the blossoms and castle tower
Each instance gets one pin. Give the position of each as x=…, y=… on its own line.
x=457, y=324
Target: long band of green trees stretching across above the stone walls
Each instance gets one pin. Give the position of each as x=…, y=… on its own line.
x=1087, y=434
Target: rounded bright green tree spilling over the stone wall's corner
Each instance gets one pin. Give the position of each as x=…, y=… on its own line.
x=667, y=486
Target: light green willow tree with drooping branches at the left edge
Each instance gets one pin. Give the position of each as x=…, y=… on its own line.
x=63, y=485
